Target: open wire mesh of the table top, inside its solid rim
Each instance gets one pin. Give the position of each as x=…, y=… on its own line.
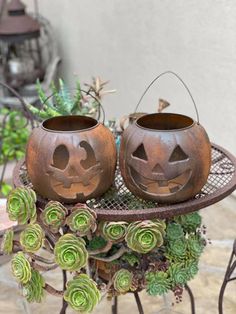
x=118, y=197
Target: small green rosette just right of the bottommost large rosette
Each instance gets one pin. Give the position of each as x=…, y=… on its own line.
x=122, y=281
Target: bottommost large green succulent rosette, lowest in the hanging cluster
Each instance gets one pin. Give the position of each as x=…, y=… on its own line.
x=82, y=294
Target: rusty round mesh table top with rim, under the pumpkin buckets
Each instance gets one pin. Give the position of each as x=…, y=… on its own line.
x=118, y=203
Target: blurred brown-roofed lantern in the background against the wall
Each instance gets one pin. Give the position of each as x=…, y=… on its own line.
x=20, y=50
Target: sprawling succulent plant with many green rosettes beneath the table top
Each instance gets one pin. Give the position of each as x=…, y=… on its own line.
x=104, y=257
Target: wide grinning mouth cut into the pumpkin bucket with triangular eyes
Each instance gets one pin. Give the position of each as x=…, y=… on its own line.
x=160, y=186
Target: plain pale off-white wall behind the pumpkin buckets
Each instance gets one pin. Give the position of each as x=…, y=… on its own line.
x=131, y=41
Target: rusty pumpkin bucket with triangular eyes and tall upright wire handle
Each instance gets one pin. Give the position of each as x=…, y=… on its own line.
x=165, y=157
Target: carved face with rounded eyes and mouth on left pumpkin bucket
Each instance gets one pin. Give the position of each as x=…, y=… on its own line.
x=74, y=171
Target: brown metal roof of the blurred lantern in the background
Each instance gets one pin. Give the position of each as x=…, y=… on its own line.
x=18, y=25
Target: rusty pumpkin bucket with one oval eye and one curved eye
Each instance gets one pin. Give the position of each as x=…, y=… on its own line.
x=71, y=158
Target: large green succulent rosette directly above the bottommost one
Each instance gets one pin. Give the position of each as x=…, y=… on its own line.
x=70, y=252
